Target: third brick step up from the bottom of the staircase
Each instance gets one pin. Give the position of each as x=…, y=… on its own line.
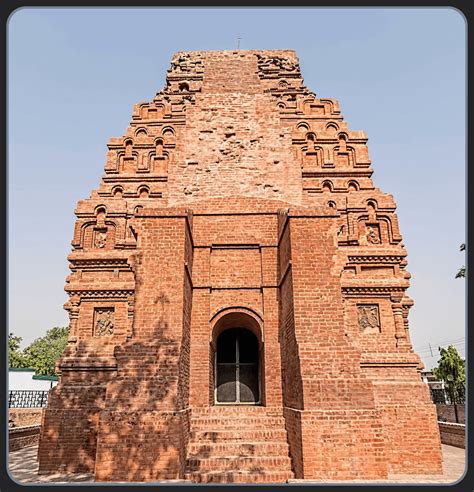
x=231, y=448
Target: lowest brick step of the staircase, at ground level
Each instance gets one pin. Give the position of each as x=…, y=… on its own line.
x=240, y=477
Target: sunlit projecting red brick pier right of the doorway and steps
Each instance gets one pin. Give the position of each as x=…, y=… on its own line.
x=338, y=414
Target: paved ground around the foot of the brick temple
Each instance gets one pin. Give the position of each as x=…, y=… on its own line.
x=23, y=468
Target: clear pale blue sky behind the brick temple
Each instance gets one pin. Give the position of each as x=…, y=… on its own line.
x=399, y=75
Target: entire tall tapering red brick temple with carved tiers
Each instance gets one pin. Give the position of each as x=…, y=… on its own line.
x=237, y=296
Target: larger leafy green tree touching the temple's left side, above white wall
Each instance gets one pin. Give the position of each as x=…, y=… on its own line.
x=43, y=353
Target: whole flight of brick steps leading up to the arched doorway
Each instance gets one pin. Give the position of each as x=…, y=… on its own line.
x=238, y=444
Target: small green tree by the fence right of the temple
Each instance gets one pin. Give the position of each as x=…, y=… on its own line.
x=451, y=370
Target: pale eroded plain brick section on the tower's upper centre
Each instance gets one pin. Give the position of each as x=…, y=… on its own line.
x=234, y=143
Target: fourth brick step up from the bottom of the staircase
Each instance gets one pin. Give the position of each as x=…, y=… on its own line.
x=247, y=435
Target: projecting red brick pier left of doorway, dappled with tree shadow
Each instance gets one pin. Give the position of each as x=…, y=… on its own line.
x=145, y=422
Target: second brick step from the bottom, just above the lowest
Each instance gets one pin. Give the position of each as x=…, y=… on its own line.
x=241, y=463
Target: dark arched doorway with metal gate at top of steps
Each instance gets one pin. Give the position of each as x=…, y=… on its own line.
x=237, y=368
